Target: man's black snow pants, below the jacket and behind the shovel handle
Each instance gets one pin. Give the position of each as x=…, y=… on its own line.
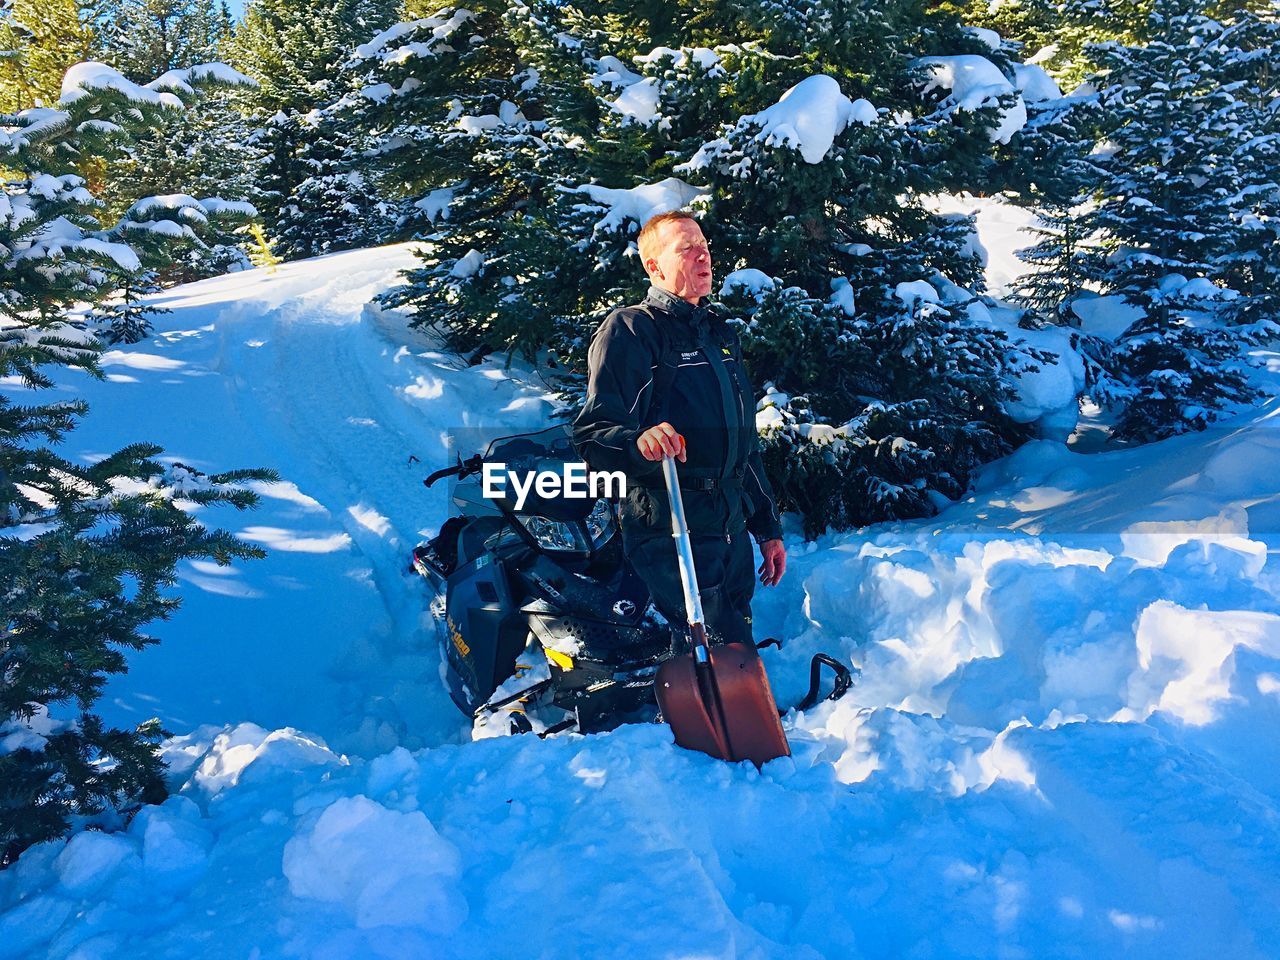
x=726, y=582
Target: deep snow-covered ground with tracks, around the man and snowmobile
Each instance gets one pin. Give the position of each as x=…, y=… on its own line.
x=1066, y=740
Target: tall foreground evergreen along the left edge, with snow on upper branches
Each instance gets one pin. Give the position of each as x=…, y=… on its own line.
x=85, y=568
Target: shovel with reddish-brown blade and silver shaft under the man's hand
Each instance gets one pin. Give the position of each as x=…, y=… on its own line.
x=717, y=700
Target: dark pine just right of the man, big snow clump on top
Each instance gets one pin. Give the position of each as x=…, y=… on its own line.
x=894, y=396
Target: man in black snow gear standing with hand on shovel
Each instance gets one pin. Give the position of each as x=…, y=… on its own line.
x=666, y=377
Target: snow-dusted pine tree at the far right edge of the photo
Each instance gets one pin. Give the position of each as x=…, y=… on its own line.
x=1181, y=147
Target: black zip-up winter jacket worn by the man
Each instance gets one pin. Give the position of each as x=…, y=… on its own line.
x=668, y=360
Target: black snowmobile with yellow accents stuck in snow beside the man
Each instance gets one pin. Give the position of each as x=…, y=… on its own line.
x=542, y=624
